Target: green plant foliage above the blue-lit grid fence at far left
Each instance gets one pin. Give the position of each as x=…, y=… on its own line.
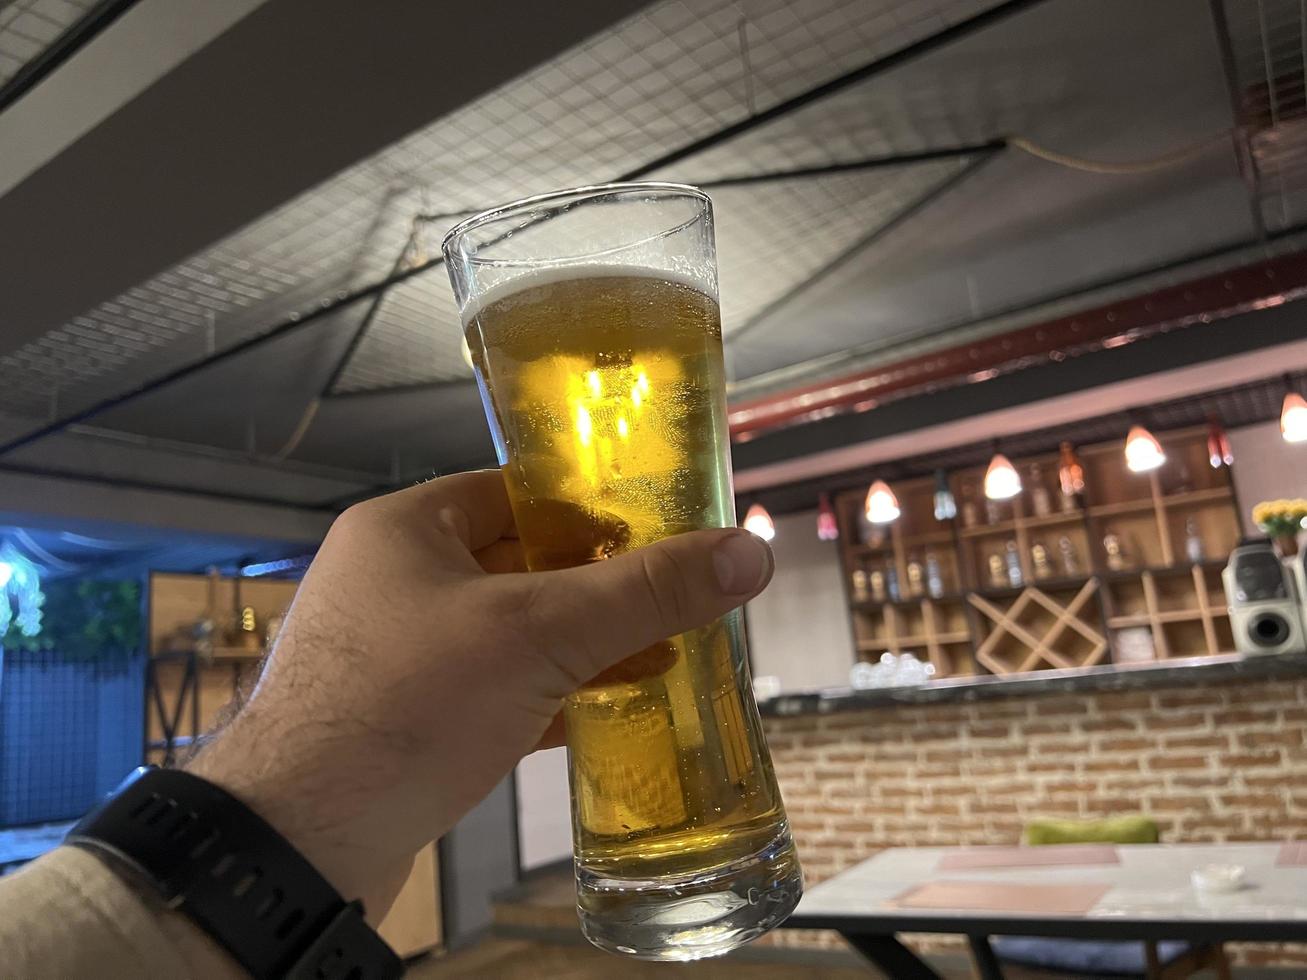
x=87, y=620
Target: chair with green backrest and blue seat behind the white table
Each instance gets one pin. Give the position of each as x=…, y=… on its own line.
x=1040, y=958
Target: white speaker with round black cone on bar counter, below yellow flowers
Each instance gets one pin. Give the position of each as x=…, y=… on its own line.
x=1265, y=610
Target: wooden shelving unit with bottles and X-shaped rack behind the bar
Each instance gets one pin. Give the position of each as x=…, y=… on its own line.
x=998, y=611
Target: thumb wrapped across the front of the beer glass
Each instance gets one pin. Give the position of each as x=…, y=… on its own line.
x=587, y=619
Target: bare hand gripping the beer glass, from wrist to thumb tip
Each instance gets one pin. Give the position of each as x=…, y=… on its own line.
x=419, y=664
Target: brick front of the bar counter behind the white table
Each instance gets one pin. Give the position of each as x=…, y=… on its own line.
x=1210, y=764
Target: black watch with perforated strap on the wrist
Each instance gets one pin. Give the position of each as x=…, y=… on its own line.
x=212, y=858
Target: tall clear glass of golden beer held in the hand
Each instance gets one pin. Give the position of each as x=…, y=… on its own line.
x=597, y=339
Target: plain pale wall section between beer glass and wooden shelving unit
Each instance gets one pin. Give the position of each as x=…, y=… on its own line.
x=799, y=628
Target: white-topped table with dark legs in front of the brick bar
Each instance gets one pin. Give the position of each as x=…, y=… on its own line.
x=1151, y=898
